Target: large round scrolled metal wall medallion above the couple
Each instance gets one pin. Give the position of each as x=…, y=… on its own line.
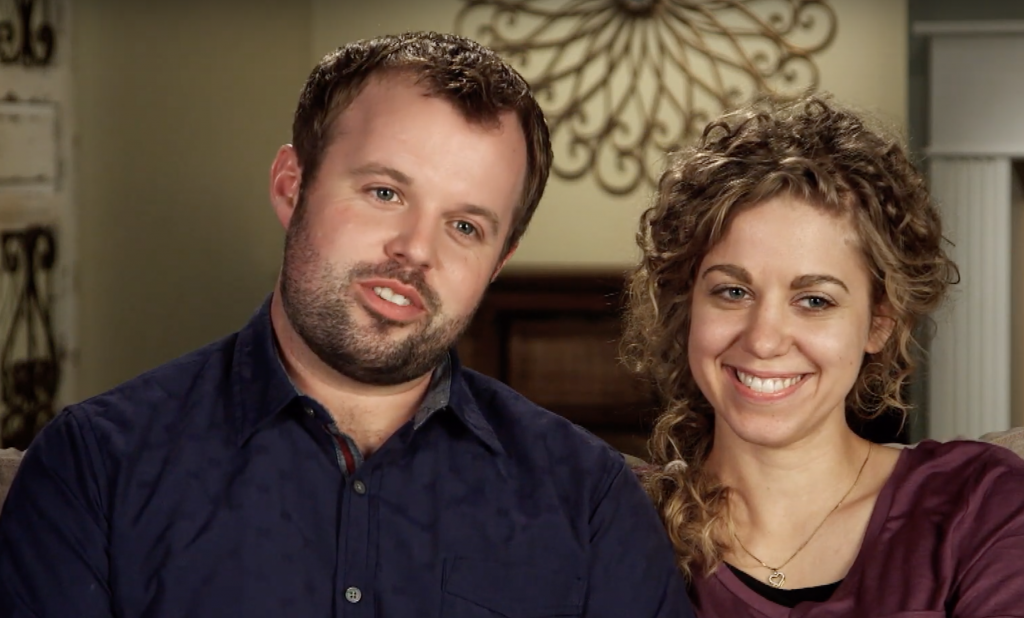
x=625, y=81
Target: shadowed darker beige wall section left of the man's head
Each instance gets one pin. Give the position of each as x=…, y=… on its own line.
x=181, y=108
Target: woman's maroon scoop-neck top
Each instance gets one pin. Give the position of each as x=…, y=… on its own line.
x=947, y=539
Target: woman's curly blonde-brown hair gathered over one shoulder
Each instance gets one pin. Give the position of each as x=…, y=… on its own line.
x=815, y=151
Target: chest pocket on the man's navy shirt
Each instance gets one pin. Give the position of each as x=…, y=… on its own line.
x=476, y=589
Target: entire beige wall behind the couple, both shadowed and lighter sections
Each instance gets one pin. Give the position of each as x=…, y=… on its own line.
x=180, y=110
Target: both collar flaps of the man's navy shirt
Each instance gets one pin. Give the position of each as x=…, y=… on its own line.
x=262, y=388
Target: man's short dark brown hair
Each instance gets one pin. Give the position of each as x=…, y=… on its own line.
x=475, y=79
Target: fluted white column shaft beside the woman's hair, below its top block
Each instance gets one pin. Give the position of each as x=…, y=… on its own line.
x=969, y=370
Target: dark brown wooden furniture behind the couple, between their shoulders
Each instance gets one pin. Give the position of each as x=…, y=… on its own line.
x=554, y=337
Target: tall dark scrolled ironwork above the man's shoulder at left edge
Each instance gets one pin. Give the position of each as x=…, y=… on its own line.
x=30, y=370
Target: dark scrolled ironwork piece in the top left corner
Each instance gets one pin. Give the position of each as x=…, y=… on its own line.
x=26, y=35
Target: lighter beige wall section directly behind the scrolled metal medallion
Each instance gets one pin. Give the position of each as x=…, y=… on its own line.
x=580, y=227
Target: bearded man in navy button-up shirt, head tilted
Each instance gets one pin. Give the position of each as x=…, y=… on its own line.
x=333, y=458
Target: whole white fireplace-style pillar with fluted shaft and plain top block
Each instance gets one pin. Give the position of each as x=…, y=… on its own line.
x=976, y=84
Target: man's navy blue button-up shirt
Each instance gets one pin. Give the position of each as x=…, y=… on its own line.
x=205, y=489
